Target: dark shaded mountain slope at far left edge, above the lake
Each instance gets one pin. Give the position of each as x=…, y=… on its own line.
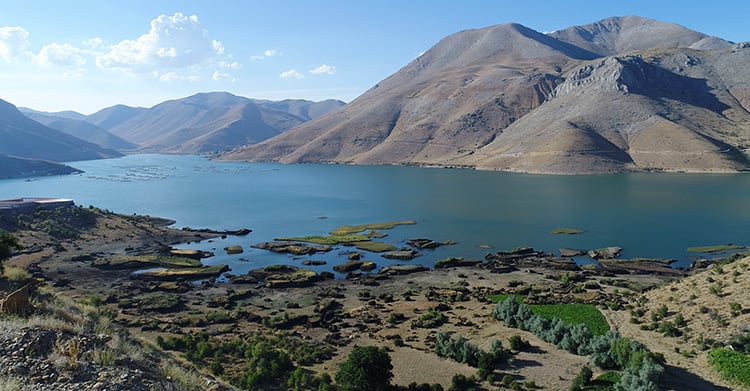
x=26, y=138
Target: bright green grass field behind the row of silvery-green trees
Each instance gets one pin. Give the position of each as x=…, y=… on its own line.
x=571, y=313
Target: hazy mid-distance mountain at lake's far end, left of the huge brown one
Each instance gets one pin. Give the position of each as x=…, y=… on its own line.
x=210, y=122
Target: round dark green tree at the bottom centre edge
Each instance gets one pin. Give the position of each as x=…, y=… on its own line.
x=367, y=369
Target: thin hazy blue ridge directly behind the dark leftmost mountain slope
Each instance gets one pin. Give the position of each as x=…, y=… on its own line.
x=82, y=129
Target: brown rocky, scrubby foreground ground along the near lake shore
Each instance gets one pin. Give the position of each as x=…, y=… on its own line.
x=376, y=309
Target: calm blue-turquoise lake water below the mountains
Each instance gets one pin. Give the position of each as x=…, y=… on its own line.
x=648, y=215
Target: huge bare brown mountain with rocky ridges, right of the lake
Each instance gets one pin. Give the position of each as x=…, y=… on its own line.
x=621, y=94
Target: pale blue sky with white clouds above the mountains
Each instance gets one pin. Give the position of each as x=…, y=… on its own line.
x=88, y=55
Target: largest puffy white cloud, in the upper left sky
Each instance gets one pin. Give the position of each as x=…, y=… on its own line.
x=175, y=41
